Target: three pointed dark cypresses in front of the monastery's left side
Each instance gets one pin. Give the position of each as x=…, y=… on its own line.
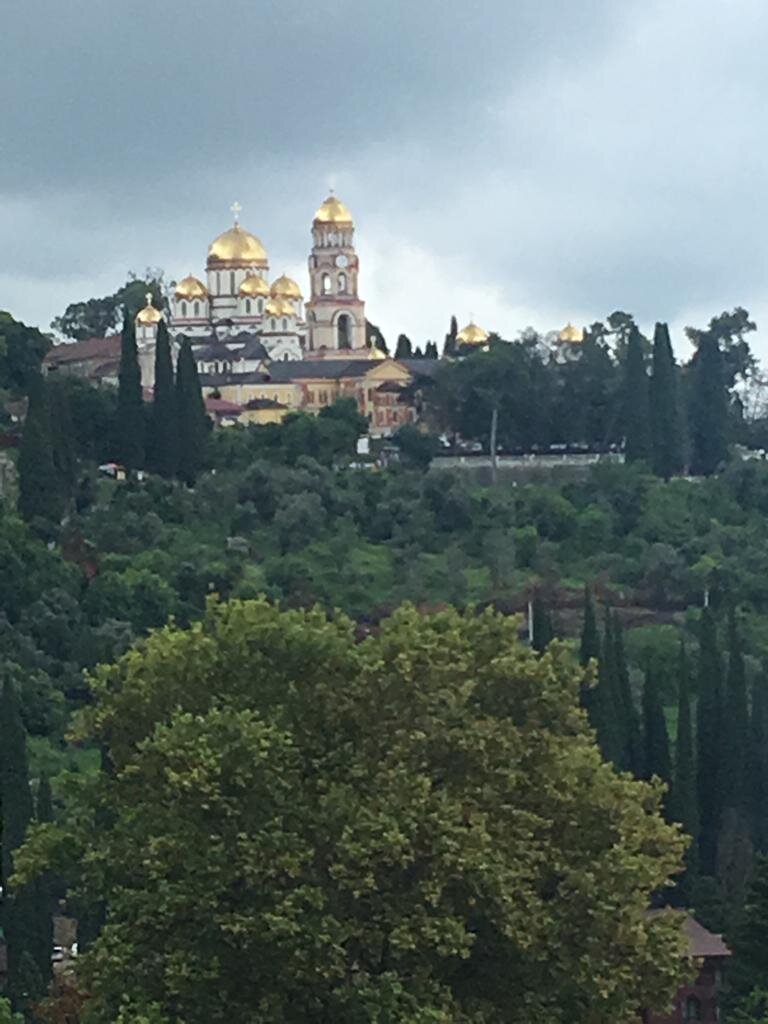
x=173, y=443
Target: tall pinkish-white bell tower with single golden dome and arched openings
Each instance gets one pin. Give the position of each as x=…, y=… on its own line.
x=336, y=317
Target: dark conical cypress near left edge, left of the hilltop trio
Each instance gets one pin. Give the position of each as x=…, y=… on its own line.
x=40, y=493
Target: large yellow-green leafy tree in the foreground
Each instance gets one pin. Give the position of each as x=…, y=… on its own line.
x=412, y=828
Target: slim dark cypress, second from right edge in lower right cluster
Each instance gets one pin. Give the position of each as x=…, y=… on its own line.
x=737, y=726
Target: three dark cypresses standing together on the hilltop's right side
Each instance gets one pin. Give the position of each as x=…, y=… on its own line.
x=655, y=407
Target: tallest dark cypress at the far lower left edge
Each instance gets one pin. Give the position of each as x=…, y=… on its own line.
x=20, y=905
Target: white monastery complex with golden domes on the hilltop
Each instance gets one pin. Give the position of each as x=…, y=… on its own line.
x=265, y=349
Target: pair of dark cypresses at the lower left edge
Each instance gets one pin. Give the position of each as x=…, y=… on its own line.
x=27, y=911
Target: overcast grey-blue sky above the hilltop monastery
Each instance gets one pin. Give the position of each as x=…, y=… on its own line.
x=524, y=161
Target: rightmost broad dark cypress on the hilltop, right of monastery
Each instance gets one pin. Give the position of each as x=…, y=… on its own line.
x=709, y=409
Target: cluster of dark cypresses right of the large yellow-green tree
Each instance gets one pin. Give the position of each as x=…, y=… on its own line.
x=718, y=778
